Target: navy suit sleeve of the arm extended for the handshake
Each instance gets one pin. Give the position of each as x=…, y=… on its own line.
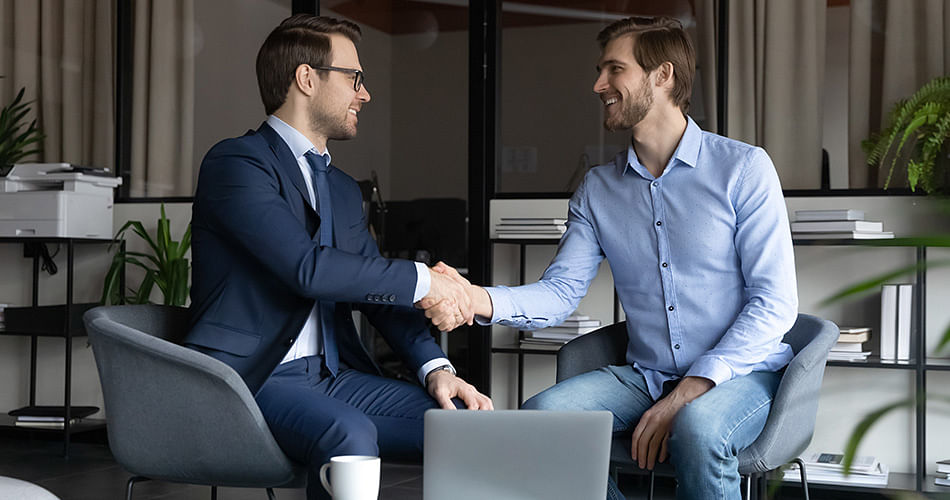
x=239, y=198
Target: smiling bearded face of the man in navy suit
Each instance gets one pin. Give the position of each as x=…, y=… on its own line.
x=334, y=108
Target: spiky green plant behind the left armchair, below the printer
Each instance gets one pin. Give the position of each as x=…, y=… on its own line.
x=165, y=265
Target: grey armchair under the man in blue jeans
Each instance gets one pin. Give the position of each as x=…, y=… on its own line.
x=791, y=422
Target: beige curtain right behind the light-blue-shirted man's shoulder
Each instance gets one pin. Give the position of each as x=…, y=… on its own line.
x=776, y=74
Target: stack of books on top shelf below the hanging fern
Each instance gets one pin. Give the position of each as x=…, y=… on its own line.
x=840, y=224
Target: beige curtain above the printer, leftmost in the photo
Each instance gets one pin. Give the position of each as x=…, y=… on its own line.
x=61, y=51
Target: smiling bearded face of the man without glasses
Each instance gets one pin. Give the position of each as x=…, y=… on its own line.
x=623, y=86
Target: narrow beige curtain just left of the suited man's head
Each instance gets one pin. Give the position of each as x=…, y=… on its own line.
x=163, y=98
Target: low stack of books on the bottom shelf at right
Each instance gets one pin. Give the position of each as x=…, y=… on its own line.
x=826, y=468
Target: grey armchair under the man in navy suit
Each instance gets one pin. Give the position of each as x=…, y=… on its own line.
x=178, y=415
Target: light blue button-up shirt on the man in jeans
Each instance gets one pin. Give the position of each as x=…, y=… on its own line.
x=701, y=258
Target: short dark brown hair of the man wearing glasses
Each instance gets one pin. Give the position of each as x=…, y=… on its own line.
x=299, y=39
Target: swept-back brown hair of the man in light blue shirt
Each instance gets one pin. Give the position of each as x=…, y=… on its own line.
x=658, y=40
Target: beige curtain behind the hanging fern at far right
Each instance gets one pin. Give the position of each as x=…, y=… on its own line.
x=896, y=47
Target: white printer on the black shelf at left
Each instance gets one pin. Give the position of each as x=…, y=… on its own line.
x=56, y=200
